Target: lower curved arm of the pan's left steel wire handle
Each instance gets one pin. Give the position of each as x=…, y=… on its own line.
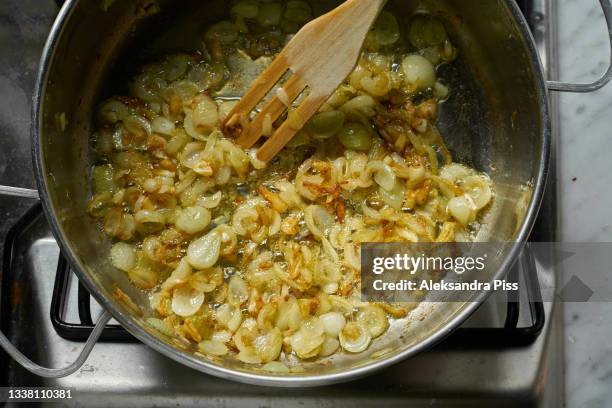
x=34, y=368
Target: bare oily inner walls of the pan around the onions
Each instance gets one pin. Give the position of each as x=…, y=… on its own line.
x=494, y=121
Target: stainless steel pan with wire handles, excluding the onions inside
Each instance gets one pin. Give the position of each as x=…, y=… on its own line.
x=497, y=120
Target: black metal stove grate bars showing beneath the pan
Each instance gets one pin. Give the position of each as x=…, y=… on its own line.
x=508, y=336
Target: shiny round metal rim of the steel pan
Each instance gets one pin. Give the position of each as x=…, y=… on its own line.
x=128, y=322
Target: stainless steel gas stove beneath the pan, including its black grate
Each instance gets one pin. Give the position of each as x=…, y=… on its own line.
x=507, y=354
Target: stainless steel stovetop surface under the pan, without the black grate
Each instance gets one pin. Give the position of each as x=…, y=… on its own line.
x=130, y=374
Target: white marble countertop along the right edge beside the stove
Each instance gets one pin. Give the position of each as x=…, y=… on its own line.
x=585, y=189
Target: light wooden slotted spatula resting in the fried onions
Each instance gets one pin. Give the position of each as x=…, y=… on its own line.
x=320, y=56
